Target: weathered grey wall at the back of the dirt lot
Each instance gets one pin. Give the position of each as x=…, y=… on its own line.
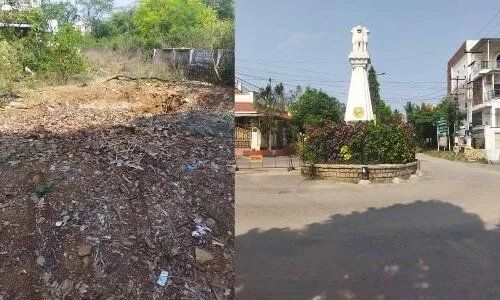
x=210, y=65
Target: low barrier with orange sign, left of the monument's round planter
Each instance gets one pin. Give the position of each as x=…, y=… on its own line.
x=268, y=162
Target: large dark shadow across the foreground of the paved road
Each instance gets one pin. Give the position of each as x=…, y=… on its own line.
x=422, y=250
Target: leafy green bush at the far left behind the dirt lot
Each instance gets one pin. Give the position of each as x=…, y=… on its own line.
x=31, y=49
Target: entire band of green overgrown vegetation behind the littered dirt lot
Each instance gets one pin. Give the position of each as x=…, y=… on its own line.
x=41, y=50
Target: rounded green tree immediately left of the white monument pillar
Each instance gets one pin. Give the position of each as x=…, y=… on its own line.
x=315, y=108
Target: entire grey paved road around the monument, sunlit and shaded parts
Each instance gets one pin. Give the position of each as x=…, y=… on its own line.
x=434, y=238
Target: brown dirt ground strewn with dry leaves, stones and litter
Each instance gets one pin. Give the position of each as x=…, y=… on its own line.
x=103, y=185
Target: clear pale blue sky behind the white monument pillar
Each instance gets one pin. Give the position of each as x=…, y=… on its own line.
x=307, y=43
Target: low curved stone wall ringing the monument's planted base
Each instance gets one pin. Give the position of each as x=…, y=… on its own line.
x=382, y=173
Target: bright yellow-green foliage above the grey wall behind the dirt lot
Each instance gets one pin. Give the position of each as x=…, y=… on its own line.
x=166, y=23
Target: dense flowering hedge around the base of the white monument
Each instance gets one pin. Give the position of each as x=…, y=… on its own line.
x=359, y=143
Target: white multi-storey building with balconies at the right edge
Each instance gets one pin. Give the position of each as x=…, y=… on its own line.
x=474, y=81
